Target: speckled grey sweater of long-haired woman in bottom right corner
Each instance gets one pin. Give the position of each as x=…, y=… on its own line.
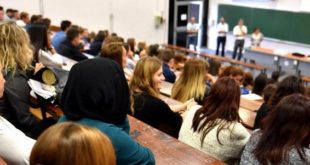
x=249, y=158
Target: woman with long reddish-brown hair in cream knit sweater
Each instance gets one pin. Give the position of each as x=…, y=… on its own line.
x=216, y=127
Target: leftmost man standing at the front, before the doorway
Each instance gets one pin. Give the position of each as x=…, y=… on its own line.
x=192, y=32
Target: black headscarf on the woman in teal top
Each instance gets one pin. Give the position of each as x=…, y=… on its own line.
x=96, y=89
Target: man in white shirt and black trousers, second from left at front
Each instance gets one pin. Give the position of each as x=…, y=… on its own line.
x=222, y=29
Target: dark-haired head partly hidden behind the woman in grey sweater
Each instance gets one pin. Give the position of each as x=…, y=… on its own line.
x=288, y=86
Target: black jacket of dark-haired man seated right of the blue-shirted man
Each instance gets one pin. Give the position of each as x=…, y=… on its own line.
x=66, y=48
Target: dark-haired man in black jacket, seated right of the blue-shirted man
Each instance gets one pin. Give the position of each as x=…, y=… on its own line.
x=69, y=47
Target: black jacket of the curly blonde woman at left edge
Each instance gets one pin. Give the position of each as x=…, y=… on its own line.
x=14, y=105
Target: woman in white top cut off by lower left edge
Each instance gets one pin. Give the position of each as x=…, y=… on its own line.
x=15, y=146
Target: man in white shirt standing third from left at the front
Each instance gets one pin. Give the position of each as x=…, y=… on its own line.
x=240, y=31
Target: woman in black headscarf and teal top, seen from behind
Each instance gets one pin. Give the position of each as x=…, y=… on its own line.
x=97, y=95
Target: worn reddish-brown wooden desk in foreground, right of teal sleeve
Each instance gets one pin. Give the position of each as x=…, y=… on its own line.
x=166, y=149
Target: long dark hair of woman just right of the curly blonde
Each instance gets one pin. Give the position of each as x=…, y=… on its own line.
x=38, y=35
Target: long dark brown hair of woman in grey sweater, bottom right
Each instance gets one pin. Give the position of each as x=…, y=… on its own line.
x=284, y=129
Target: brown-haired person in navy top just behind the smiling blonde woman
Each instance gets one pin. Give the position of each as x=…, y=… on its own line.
x=167, y=56
